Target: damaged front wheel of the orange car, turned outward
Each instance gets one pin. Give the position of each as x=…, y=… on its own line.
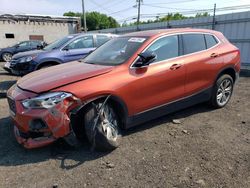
x=97, y=136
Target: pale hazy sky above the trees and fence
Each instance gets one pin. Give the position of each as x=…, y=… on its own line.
x=119, y=9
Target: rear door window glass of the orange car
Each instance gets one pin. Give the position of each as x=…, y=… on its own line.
x=193, y=43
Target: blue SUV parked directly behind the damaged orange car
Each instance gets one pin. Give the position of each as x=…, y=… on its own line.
x=66, y=49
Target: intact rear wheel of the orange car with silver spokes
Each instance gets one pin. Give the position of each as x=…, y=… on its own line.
x=219, y=102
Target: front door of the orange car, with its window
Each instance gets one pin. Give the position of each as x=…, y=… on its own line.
x=162, y=81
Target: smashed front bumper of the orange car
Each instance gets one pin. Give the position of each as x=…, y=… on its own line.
x=35, y=128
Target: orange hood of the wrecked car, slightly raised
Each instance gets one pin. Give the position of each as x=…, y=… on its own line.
x=60, y=75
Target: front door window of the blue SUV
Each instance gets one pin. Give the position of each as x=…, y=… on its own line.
x=83, y=42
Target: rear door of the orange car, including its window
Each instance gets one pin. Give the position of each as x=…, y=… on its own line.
x=201, y=61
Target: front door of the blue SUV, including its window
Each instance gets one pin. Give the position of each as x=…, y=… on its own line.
x=78, y=48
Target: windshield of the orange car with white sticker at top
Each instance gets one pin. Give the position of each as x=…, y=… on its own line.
x=116, y=51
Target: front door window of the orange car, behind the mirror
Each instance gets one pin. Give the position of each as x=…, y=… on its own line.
x=165, y=48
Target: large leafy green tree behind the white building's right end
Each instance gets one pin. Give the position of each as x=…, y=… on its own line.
x=95, y=20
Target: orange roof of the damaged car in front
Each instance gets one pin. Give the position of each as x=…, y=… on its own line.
x=151, y=33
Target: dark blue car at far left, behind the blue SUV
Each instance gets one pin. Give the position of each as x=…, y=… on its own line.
x=7, y=53
